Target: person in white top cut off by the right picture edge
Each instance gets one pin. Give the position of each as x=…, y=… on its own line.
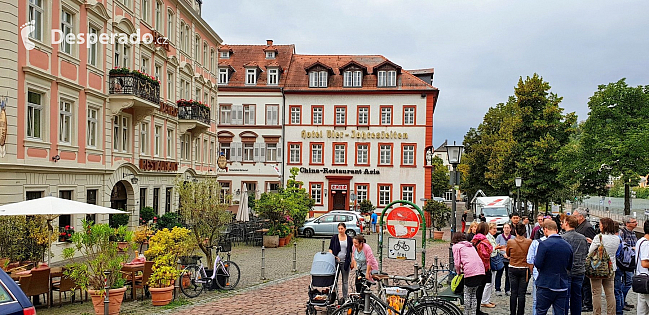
x=641, y=277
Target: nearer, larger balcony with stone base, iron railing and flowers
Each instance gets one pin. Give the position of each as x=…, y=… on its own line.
x=133, y=89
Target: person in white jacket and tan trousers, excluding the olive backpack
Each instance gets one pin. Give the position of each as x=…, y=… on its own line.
x=611, y=242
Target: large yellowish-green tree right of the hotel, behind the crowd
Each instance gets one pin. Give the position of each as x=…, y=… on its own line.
x=521, y=137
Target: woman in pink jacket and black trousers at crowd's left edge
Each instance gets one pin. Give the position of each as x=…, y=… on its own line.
x=468, y=261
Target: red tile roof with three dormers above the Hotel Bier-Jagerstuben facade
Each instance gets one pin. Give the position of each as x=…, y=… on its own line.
x=298, y=79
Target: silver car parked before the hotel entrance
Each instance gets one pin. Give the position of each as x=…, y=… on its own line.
x=327, y=224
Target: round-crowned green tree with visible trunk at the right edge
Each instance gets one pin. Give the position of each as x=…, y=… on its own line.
x=615, y=138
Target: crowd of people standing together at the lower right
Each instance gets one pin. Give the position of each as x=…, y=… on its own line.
x=553, y=254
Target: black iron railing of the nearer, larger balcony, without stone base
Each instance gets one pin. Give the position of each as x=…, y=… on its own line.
x=129, y=84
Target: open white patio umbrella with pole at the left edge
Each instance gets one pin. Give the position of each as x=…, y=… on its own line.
x=52, y=207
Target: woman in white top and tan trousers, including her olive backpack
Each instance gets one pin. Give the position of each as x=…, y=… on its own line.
x=605, y=242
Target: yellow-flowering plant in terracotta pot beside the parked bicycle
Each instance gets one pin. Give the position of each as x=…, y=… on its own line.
x=166, y=246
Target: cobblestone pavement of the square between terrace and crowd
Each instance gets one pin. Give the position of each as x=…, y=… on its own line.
x=284, y=291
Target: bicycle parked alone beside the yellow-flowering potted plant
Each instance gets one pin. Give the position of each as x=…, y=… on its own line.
x=194, y=278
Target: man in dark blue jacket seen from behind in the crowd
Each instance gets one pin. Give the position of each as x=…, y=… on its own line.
x=553, y=261
